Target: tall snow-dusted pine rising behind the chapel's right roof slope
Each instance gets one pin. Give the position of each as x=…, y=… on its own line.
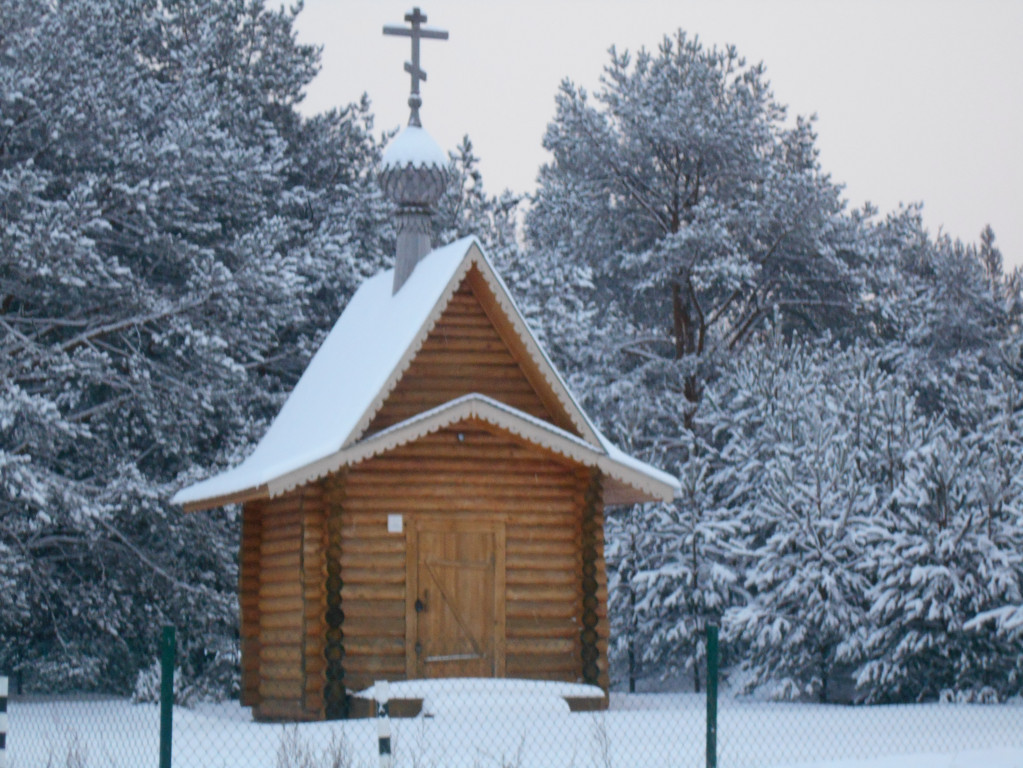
x=681, y=215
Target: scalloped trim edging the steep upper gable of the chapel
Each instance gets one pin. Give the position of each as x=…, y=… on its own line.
x=476, y=257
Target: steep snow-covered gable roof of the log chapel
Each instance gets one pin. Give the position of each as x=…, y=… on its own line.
x=361, y=363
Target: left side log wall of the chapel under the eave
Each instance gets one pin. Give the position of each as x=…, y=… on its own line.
x=290, y=607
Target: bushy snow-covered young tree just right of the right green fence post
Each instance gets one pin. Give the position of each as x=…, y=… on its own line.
x=799, y=431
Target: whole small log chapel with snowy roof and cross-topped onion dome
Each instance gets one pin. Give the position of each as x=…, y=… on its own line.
x=429, y=504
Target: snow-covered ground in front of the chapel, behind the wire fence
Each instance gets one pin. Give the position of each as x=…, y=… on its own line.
x=476, y=726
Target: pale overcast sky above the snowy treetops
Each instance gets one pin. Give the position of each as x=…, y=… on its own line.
x=917, y=102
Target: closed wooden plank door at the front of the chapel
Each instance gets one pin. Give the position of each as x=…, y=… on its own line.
x=457, y=596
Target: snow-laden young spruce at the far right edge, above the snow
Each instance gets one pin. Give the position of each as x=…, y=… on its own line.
x=947, y=557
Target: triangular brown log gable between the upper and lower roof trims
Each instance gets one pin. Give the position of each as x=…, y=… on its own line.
x=472, y=348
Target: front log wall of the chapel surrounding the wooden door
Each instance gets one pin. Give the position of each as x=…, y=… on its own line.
x=468, y=474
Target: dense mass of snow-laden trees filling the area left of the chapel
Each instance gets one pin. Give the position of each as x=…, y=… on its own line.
x=172, y=232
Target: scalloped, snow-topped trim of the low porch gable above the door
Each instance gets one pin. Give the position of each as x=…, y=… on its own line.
x=480, y=408
